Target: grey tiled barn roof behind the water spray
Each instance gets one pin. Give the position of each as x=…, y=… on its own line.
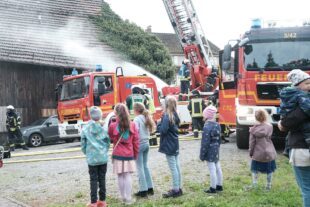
x=51, y=32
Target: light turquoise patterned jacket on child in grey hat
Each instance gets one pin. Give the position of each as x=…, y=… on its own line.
x=95, y=143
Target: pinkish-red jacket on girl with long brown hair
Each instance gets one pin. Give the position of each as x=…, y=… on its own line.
x=127, y=149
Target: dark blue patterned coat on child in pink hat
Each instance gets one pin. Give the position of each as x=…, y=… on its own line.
x=210, y=142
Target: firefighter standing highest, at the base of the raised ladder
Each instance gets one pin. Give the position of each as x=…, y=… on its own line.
x=184, y=74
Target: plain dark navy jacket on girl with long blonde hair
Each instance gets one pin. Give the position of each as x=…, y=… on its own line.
x=169, y=135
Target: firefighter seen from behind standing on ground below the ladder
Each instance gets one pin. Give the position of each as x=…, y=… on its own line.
x=196, y=106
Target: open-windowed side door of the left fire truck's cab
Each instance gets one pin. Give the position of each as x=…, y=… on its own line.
x=103, y=90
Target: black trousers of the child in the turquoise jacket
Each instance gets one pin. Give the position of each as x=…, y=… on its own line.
x=97, y=175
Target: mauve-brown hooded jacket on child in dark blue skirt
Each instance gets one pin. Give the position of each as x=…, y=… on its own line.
x=261, y=147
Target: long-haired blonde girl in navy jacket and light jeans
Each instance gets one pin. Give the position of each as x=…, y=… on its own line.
x=169, y=144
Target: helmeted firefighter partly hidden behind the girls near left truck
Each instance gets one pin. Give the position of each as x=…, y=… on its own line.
x=136, y=96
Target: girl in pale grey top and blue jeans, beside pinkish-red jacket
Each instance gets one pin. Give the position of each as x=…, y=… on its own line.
x=145, y=125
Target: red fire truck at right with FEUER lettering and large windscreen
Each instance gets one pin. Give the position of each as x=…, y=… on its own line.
x=255, y=70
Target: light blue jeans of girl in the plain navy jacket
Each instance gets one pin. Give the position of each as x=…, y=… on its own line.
x=174, y=165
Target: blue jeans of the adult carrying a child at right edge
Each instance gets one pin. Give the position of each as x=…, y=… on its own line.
x=302, y=175
